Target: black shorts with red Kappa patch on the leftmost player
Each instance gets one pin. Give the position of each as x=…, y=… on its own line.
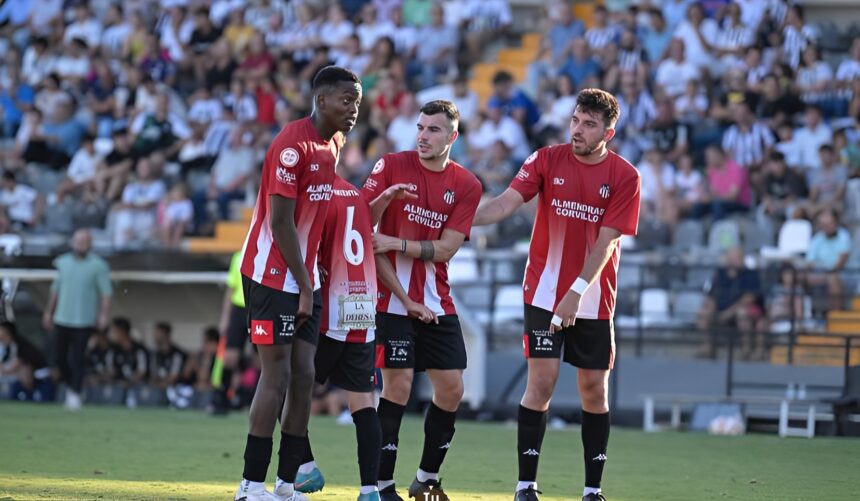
x=272, y=315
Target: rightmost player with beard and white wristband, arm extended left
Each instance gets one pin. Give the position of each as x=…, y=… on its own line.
x=587, y=198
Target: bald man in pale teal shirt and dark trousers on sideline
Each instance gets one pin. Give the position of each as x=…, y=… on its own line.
x=78, y=304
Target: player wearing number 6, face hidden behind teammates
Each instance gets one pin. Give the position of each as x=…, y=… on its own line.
x=346, y=354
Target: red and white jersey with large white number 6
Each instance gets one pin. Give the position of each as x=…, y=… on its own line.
x=346, y=254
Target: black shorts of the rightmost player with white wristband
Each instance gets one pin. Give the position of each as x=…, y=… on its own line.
x=588, y=344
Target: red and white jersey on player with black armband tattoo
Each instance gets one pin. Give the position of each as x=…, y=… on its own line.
x=446, y=200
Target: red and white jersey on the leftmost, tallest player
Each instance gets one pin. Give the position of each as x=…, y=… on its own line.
x=299, y=165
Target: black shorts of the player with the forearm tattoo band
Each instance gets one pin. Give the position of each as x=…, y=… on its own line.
x=407, y=343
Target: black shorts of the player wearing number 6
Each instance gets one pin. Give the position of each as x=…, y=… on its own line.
x=346, y=365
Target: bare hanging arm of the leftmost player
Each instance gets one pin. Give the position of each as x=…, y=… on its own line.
x=287, y=237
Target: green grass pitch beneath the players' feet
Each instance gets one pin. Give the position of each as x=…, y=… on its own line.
x=115, y=453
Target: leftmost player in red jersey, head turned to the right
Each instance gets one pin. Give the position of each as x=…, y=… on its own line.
x=281, y=279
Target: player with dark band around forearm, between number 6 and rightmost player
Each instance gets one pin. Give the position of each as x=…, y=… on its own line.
x=416, y=240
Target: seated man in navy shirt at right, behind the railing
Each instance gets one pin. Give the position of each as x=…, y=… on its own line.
x=734, y=301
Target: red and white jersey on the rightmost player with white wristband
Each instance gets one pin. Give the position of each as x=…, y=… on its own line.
x=575, y=201
